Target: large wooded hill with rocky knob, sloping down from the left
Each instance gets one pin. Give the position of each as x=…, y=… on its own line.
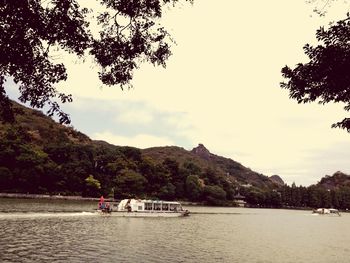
x=37, y=146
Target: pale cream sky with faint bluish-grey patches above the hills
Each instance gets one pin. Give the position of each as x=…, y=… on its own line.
x=221, y=88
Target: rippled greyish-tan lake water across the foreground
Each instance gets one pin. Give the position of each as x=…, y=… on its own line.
x=70, y=231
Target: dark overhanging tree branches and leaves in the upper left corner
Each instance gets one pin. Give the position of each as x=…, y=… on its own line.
x=129, y=34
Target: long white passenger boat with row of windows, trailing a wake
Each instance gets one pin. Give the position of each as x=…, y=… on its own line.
x=148, y=208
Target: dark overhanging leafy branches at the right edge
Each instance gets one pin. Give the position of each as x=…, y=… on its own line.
x=326, y=77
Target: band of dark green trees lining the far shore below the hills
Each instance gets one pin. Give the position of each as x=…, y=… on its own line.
x=95, y=169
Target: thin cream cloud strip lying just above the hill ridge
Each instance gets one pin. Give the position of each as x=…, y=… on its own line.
x=140, y=141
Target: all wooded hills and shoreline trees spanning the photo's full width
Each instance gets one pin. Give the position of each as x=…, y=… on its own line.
x=38, y=155
